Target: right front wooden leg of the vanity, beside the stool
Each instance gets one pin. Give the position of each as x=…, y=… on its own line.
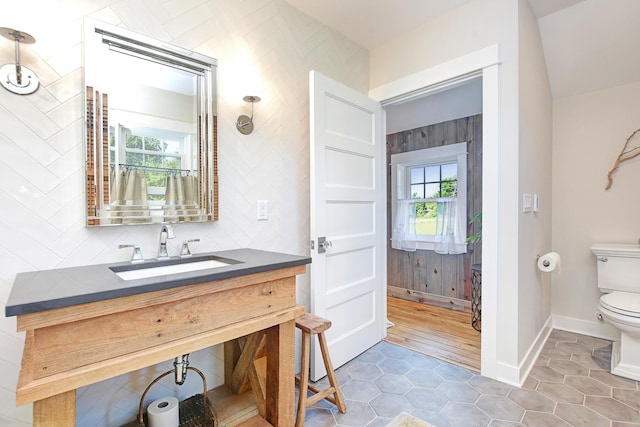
x=280, y=384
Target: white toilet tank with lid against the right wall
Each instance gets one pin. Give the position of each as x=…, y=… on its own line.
x=618, y=266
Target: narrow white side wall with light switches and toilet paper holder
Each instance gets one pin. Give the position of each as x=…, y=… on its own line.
x=534, y=231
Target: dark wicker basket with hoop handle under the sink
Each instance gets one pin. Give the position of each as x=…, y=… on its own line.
x=194, y=412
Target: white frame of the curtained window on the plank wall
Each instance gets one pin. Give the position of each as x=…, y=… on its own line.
x=401, y=163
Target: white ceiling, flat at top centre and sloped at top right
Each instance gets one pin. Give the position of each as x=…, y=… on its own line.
x=588, y=44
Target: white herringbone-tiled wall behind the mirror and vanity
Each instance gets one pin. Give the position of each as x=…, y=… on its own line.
x=265, y=48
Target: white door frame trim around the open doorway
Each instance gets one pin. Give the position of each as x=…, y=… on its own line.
x=484, y=62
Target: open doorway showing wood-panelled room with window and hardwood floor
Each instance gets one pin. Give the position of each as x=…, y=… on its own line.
x=430, y=303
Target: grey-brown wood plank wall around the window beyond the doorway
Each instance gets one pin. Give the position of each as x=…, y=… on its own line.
x=425, y=276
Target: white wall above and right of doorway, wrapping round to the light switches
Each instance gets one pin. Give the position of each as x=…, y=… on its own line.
x=524, y=127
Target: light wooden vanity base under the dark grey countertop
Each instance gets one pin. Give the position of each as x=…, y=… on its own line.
x=71, y=347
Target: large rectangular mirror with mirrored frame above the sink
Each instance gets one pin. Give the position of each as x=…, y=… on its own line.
x=151, y=130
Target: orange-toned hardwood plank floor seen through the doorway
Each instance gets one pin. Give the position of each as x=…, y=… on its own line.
x=437, y=332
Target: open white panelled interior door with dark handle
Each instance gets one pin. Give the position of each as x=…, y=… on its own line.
x=348, y=214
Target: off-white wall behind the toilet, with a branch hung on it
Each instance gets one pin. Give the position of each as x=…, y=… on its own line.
x=589, y=131
